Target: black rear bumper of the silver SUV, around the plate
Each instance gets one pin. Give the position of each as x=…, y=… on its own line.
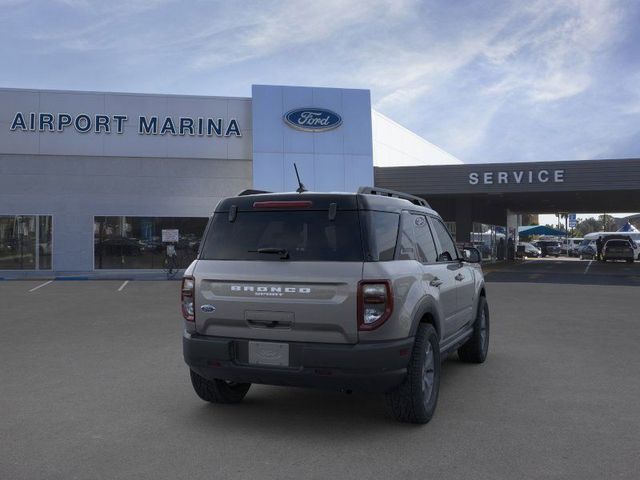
x=368, y=367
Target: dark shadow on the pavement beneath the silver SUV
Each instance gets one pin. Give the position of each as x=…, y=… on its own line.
x=317, y=414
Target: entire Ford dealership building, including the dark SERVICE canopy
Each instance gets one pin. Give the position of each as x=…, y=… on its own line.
x=95, y=183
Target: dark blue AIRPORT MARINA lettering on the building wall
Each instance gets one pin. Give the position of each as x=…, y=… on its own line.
x=116, y=123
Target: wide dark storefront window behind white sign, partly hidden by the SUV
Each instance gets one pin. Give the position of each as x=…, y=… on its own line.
x=136, y=242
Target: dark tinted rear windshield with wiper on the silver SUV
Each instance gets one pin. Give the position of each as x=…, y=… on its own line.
x=303, y=235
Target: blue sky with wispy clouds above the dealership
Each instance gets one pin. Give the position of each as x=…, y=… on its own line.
x=487, y=81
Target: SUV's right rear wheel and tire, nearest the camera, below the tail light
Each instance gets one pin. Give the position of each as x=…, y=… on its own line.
x=415, y=400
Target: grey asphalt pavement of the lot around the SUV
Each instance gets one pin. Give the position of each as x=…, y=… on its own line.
x=93, y=386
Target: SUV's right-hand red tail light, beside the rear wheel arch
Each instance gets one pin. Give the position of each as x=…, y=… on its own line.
x=375, y=303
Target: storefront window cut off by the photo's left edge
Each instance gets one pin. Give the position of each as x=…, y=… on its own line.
x=25, y=242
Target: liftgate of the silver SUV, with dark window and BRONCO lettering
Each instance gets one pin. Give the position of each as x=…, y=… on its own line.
x=280, y=274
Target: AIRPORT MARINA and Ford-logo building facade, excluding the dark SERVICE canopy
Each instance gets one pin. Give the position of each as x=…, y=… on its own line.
x=94, y=182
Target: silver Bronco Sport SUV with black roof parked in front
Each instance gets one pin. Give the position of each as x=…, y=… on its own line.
x=353, y=292
